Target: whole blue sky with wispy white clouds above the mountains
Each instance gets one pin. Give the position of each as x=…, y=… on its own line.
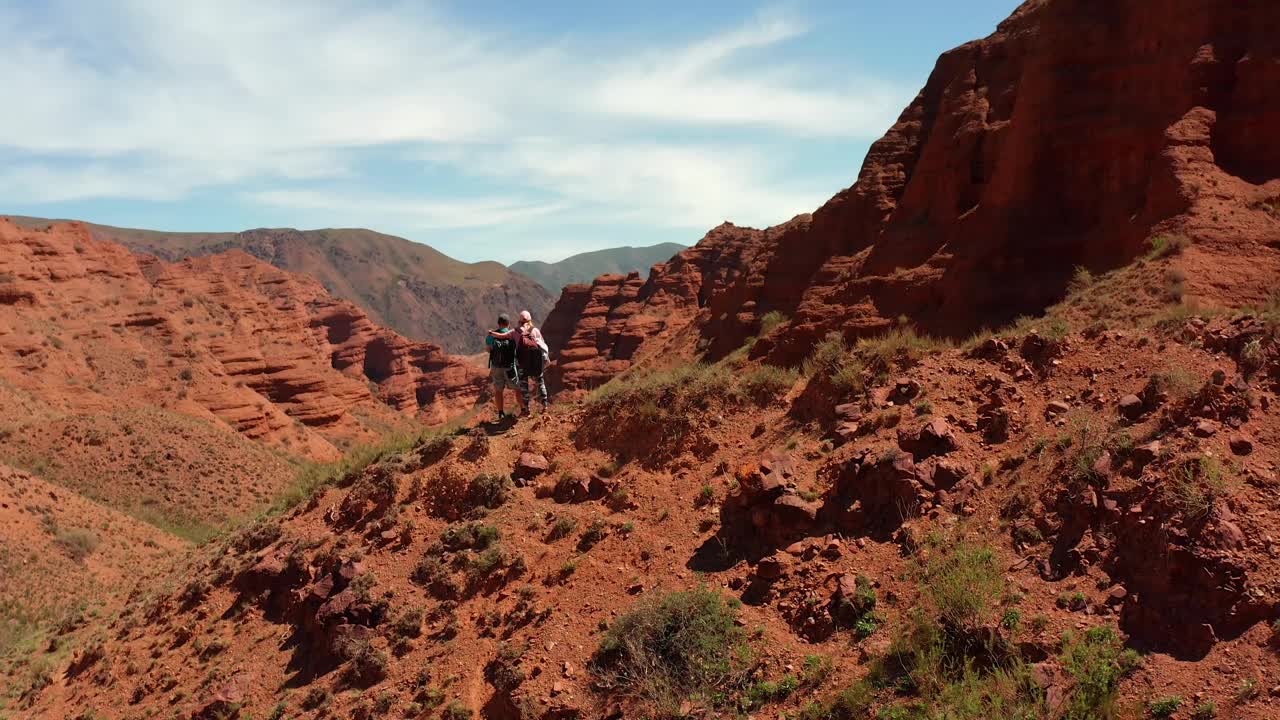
x=492, y=131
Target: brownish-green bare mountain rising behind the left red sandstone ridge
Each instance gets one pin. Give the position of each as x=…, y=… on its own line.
x=408, y=286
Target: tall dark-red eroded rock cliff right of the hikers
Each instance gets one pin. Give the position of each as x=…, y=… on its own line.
x=996, y=183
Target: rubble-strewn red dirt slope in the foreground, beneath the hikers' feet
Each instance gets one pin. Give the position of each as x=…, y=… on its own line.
x=369, y=603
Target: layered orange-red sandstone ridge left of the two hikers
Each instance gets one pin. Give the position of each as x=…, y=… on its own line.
x=225, y=338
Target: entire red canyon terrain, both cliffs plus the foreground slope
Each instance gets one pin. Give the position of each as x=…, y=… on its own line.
x=993, y=434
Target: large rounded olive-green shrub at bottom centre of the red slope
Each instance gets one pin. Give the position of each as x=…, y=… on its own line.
x=670, y=649
